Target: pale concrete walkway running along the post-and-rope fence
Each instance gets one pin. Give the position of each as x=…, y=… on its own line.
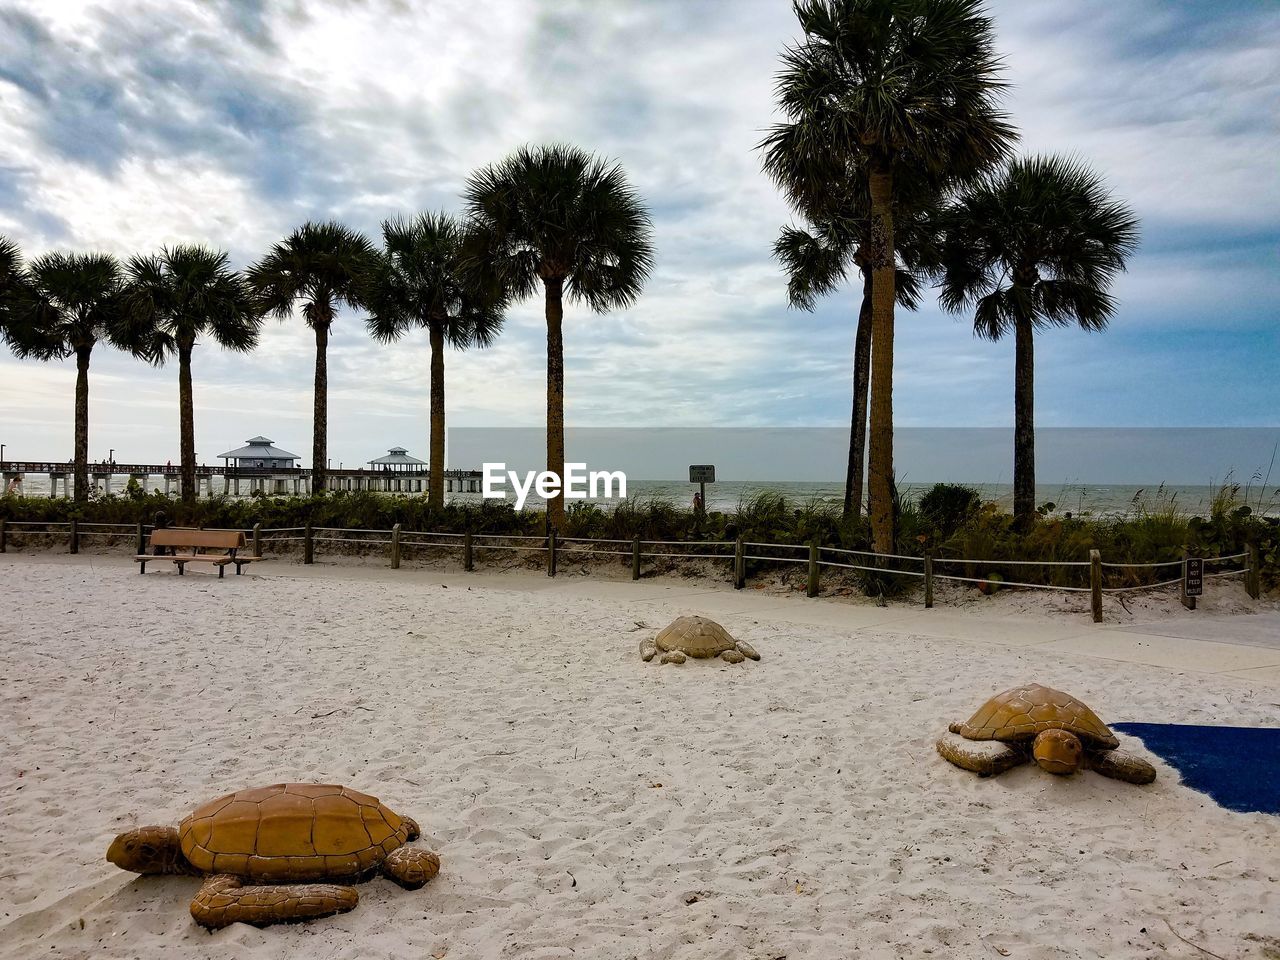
x=1246, y=647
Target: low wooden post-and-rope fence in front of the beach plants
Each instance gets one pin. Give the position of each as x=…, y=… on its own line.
x=1092, y=577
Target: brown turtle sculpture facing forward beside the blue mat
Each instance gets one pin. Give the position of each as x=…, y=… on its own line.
x=1035, y=723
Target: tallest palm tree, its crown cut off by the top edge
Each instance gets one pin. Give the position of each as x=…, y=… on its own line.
x=893, y=86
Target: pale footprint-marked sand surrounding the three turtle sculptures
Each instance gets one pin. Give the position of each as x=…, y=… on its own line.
x=588, y=804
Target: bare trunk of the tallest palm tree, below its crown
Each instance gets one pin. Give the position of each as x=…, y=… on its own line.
x=880, y=474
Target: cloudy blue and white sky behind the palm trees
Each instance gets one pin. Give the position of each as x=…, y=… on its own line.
x=135, y=125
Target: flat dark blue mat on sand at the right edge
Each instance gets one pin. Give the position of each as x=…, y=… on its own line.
x=1240, y=767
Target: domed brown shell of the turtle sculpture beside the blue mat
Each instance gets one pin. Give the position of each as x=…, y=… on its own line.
x=1025, y=712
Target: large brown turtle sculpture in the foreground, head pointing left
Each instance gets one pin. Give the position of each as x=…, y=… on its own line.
x=263, y=851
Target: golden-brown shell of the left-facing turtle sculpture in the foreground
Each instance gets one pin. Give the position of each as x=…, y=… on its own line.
x=292, y=833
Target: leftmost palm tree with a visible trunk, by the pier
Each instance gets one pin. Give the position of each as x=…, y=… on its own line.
x=65, y=305
